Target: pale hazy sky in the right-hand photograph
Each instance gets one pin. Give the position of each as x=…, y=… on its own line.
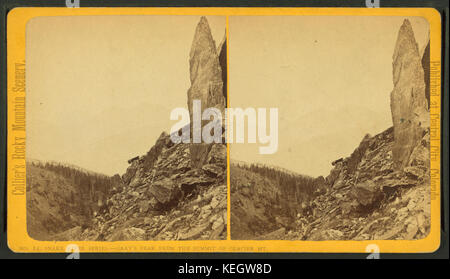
x=329, y=76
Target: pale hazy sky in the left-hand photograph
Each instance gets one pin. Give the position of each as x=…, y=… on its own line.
x=100, y=88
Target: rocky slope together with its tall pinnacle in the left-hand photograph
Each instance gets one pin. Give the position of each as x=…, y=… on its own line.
x=177, y=191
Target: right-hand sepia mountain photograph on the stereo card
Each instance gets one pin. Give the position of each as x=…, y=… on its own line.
x=338, y=138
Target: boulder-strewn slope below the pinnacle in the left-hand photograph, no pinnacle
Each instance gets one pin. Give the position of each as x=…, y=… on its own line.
x=170, y=200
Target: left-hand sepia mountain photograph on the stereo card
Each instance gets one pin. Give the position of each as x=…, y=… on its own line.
x=102, y=157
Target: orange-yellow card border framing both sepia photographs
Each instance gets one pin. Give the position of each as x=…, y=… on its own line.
x=19, y=241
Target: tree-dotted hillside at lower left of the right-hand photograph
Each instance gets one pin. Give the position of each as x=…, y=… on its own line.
x=265, y=198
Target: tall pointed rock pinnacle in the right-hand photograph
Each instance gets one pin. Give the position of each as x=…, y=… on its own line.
x=408, y=101
